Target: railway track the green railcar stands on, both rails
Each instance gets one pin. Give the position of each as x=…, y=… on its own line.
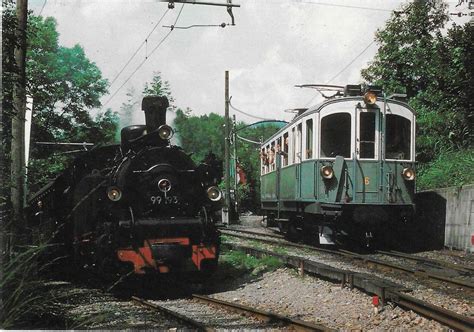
x=443, y=271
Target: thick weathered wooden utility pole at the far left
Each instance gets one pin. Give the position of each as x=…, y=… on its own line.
x=18, y=124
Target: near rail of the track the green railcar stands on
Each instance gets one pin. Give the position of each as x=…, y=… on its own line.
x=365, y=259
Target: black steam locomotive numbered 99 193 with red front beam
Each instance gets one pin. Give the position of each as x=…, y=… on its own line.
x=141, y=206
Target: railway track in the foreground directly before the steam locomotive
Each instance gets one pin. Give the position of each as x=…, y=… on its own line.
x=208, y=314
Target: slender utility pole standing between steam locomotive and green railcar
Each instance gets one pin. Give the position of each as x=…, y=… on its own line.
x=225, y=214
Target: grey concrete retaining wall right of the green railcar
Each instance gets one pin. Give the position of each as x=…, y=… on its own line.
x=458, y=213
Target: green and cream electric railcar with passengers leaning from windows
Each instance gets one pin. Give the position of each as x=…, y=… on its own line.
x=345, y=167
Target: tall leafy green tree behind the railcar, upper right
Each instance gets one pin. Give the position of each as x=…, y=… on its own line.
x=433, y=66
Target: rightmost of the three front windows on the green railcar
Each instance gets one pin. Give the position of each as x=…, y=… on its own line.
x=398, y=137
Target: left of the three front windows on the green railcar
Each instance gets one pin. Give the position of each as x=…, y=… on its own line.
x=336, y=135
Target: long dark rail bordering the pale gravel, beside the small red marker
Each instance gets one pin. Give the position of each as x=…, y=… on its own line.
x=385, y=289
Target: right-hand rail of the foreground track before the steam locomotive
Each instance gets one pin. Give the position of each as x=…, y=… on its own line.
x=265, y=316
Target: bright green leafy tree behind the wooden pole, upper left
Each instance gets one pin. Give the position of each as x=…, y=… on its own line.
x=64, y=84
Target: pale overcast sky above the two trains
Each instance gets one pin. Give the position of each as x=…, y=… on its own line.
x=274, y=45
